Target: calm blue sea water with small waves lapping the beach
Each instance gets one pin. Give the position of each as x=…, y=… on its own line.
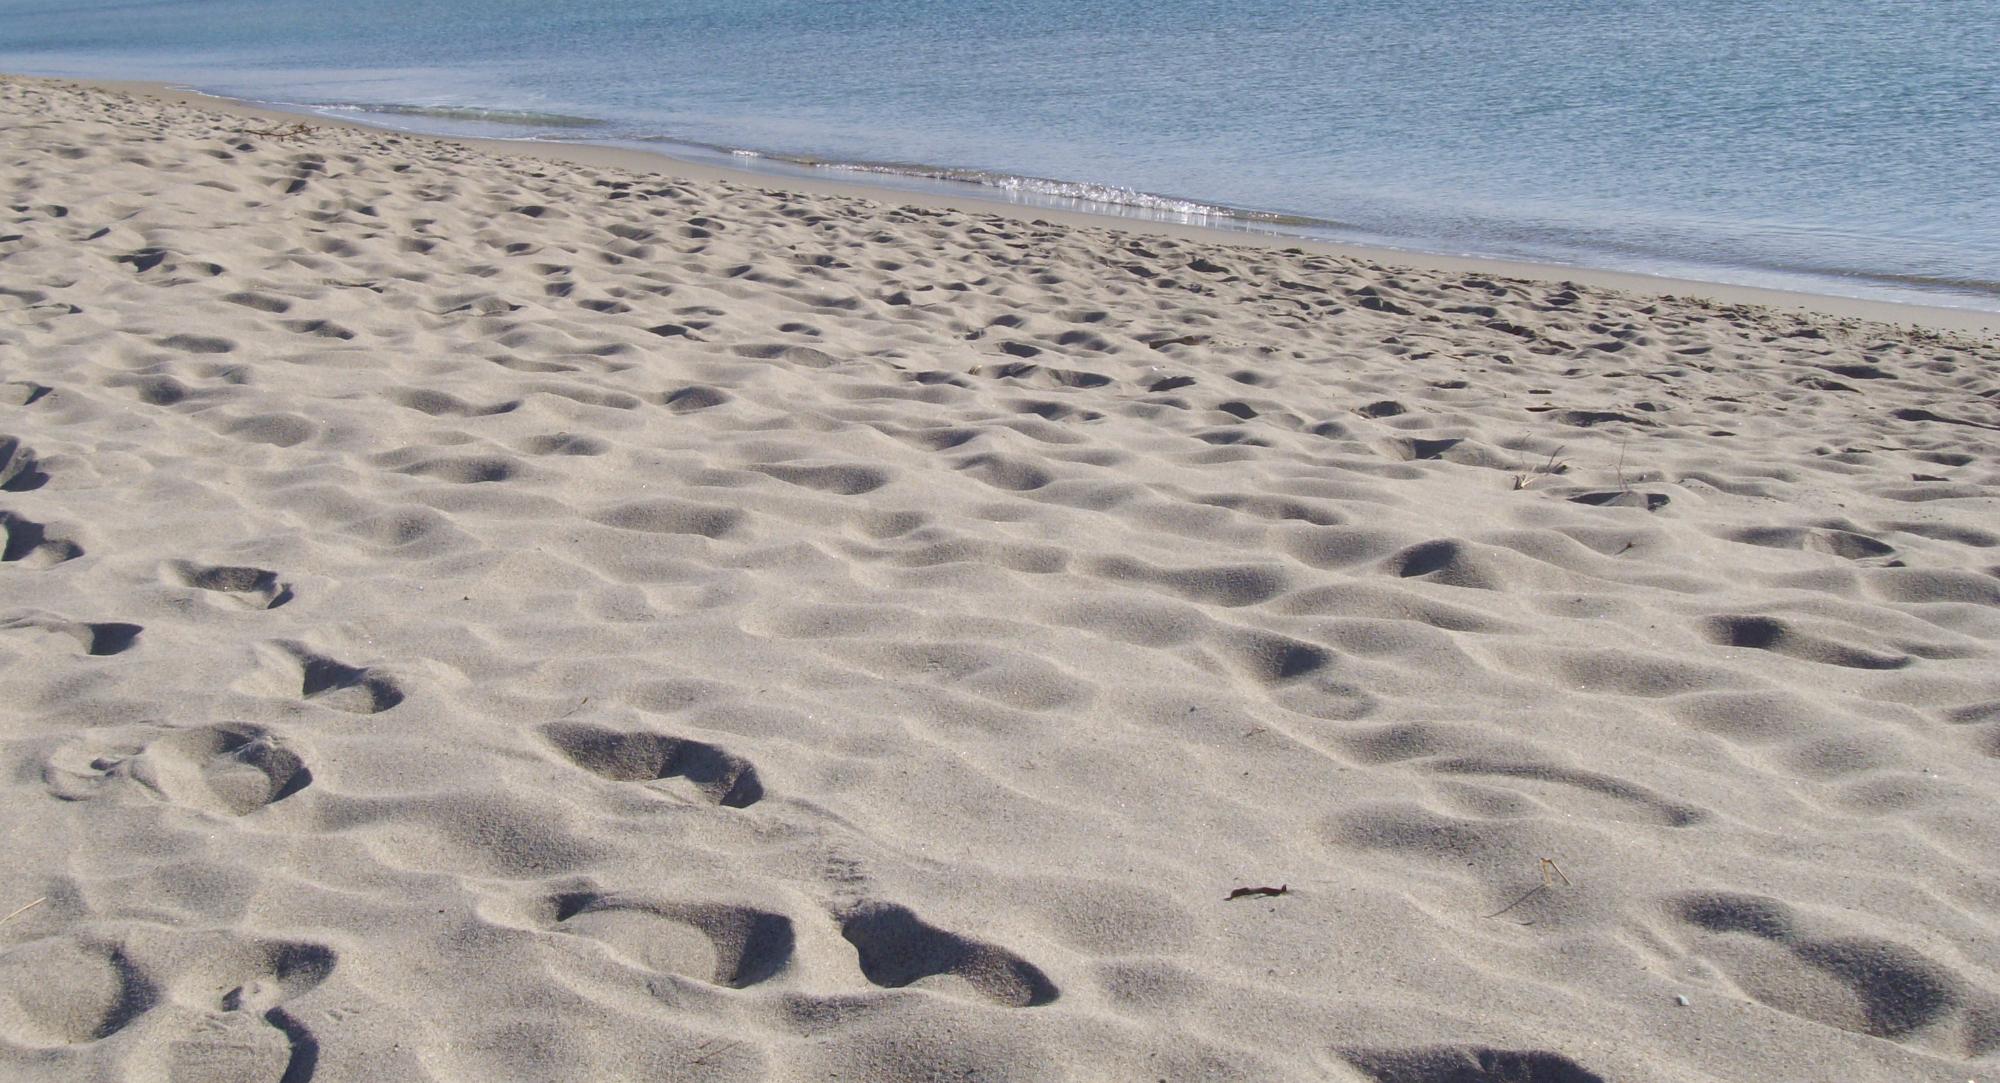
x=1839, y=147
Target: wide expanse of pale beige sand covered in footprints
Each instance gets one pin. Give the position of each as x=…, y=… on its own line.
x=487, y=618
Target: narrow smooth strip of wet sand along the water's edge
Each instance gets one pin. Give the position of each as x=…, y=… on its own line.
x=663, y=163
